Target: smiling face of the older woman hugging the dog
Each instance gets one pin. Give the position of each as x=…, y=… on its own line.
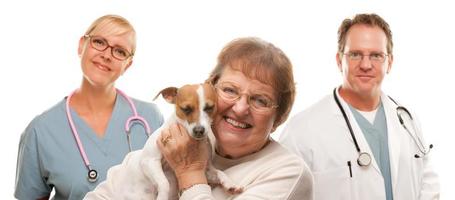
x=239, y=129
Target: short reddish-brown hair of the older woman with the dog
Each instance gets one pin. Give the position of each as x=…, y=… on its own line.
x=260, y=60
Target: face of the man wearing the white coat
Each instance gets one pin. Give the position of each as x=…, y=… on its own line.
x=364, y=77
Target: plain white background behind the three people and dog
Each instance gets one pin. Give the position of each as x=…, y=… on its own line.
x=178, y=42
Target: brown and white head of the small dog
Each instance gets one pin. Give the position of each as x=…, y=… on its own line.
x=195, y=107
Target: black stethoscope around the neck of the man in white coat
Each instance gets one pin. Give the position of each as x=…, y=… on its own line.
x=364, y=158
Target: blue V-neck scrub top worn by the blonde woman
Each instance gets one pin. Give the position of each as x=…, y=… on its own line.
x=49, y=158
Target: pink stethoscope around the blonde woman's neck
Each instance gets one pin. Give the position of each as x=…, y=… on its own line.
x=92, y=173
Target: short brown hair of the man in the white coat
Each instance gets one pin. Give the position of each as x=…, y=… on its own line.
x=365, y=19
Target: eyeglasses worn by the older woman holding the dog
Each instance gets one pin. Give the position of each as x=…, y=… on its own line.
x=230, y=93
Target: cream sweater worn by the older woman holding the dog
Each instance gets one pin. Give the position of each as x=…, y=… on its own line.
x=272, y=173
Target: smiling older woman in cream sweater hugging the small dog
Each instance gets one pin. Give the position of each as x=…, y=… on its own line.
x=255, y=86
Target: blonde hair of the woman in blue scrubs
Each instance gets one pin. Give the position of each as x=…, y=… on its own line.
x=113, y=25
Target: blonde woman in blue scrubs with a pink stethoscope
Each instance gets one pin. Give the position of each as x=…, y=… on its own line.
x=70, y=146
